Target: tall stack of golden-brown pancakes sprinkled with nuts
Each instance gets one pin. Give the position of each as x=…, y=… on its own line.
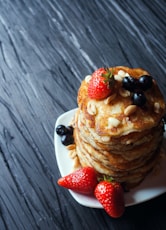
x=114, y=136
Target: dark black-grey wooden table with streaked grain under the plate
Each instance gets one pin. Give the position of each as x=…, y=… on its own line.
x=46, y=48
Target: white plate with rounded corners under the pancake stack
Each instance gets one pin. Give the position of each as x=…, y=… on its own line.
x=151, y=187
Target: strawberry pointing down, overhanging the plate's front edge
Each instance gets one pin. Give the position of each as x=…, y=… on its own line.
x=111, y=196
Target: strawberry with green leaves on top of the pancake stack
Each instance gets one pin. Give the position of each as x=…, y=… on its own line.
x=100, y=85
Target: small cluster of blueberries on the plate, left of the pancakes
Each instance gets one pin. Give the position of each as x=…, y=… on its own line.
x=66, y=133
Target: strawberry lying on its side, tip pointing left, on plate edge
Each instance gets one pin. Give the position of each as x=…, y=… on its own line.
x=83, y=180
